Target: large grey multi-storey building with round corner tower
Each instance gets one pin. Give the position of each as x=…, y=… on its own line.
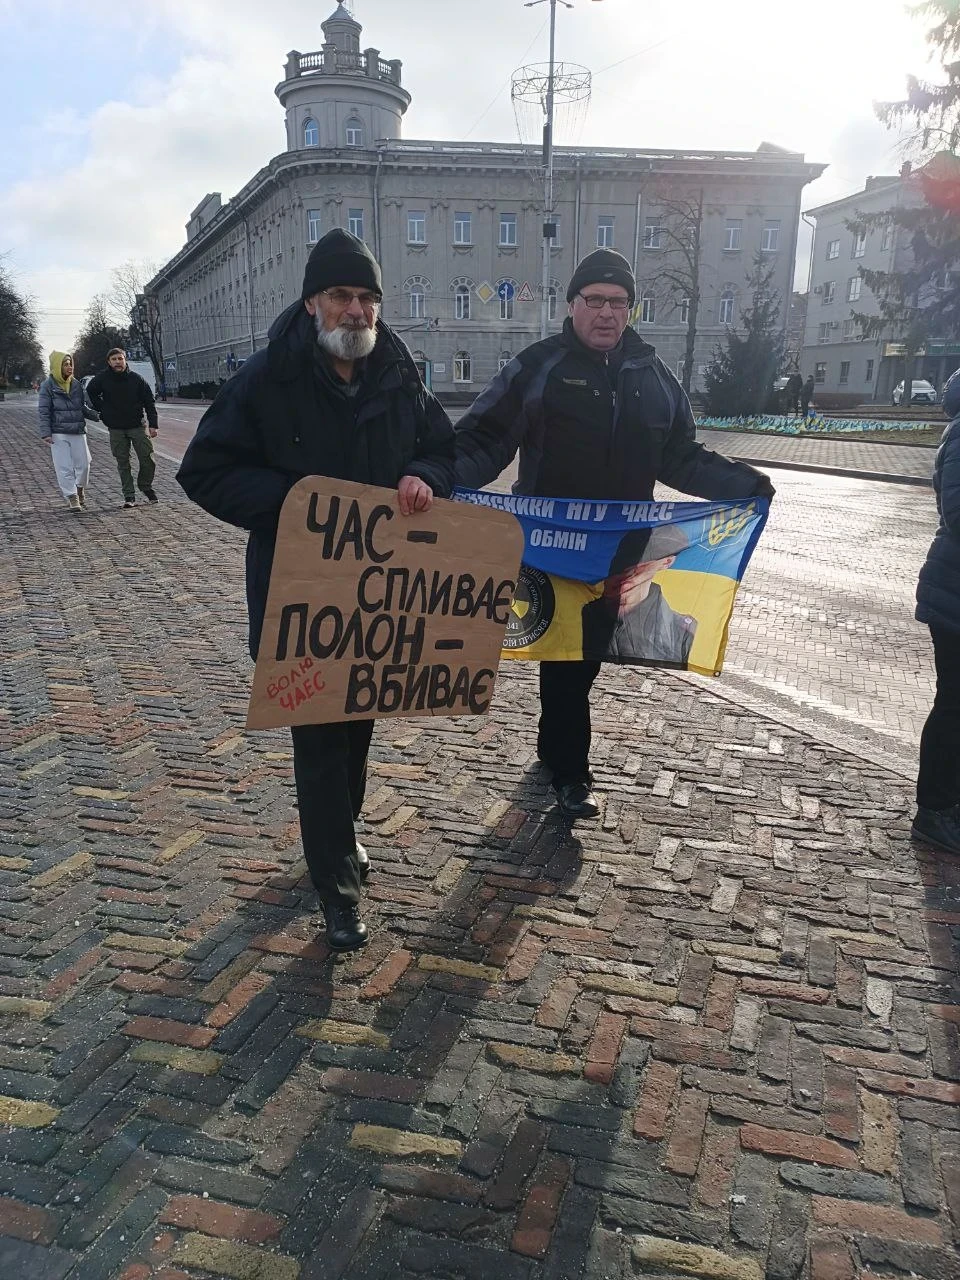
x=458, y=228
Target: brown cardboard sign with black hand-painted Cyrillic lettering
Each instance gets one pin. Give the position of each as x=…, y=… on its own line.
x=372, y=614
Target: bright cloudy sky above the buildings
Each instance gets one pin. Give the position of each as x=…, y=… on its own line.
x=121, y=117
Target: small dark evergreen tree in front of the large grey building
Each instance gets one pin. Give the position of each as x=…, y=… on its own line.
x=739, y=381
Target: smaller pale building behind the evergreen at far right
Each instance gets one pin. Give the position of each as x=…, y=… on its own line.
x=845, y=364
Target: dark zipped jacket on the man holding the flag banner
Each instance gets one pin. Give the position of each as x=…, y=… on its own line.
x=593, y=426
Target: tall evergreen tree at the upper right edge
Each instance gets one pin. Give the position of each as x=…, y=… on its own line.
x=922, y=300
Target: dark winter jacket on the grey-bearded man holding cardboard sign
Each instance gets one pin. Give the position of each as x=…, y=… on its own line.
x=286, y=417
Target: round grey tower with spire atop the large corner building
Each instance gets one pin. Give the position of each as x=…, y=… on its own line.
x=341, y=97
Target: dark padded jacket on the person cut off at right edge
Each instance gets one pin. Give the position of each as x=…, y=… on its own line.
x=939, y=588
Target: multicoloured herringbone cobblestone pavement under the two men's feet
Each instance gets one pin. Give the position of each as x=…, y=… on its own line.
x=714, y=1035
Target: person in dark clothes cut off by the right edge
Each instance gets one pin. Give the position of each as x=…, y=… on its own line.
x=938, y=820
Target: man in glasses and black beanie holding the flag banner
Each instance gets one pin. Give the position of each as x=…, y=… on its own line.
x=595, y=414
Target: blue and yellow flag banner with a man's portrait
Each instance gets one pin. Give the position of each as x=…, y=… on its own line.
x=642, y=583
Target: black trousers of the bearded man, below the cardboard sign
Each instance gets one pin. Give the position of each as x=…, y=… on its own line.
x=330, y=766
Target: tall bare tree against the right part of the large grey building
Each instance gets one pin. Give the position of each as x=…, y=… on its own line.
x=680, y=237
